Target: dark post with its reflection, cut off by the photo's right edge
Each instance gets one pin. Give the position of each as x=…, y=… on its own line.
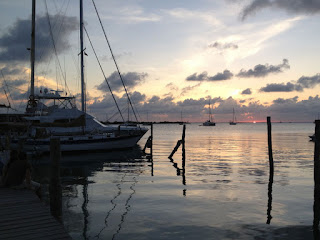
x=316, y=205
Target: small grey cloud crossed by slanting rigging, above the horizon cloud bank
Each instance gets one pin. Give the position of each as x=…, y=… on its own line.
x=131, y=79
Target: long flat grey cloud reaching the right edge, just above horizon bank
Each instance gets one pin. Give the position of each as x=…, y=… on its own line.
x=299, y=85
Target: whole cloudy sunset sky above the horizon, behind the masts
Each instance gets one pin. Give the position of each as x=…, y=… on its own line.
x=261, y=58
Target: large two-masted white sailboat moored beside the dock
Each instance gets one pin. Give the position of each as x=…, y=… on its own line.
x=77, y=130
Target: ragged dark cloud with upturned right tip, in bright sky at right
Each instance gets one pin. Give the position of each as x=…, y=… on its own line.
x=263, y=70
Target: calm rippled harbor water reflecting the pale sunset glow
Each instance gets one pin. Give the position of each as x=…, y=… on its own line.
x=222, y=195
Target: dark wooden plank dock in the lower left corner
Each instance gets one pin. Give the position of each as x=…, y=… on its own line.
x=24, y=216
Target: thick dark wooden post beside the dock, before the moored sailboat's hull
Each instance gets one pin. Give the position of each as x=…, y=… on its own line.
x=55, y=186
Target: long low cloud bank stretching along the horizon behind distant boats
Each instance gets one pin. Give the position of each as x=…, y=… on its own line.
x=166, y=109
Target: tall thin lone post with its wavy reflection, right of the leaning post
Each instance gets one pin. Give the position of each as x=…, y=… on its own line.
x=271, y=171
